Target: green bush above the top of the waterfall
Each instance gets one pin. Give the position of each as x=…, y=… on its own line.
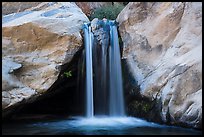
x=109, y=12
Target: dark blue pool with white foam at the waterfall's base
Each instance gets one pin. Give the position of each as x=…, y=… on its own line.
x=93, y=126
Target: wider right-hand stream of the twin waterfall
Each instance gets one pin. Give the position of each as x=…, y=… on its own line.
x=116, y=84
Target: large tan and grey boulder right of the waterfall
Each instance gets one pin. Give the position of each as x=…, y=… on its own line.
x=163, y=51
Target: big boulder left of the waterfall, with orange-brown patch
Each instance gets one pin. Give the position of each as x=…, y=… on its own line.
x=35, y=43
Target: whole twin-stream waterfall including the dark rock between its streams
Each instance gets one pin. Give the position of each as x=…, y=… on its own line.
x=104, y=90
